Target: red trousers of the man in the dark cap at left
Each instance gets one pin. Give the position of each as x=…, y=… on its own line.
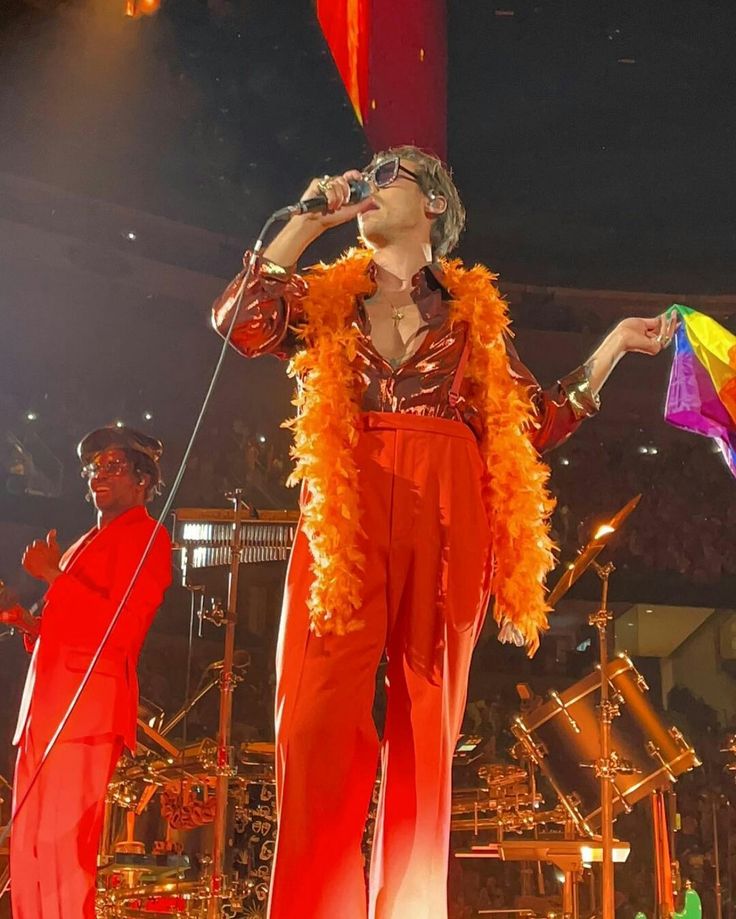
x=56, y=834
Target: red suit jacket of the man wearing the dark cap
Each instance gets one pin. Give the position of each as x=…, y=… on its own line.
x=77, y=610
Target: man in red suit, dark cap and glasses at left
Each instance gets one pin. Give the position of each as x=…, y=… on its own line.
x=56, y=829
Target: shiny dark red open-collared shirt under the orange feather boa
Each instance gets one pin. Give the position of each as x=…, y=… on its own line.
x=271, y=314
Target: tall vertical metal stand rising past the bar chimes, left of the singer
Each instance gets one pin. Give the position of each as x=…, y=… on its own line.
x=225, y=768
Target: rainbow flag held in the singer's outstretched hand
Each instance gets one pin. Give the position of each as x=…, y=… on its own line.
x=701, y=396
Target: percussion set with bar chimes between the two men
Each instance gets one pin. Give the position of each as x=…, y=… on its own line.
x=204, y=810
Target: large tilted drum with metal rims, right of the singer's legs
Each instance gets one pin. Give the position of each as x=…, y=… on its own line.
x=563, y=738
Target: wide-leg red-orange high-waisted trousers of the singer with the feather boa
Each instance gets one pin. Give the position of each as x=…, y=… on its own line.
x=427, y=546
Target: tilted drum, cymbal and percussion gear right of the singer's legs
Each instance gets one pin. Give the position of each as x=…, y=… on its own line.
x=601, y=748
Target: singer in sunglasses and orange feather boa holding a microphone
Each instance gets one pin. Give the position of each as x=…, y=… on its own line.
x=417, y=443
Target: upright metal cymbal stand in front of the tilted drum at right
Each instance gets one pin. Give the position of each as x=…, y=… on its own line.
x=606, y=766
